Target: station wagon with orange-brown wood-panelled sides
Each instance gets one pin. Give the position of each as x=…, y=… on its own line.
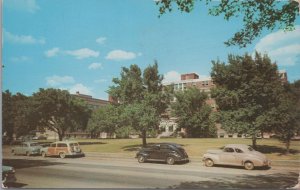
x=62, y=149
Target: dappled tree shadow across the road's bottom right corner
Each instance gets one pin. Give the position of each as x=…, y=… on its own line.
x=273, y=181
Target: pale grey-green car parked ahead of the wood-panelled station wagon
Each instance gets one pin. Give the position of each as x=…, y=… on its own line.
x=27, y=148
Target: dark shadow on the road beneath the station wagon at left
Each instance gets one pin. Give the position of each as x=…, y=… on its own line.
x=23, y=163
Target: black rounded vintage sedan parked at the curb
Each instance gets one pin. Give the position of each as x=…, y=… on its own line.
x=166, y=152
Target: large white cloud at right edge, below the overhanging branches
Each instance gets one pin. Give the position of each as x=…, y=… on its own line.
x=282, y=47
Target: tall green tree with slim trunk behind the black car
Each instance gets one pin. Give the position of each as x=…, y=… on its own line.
x=142, y=98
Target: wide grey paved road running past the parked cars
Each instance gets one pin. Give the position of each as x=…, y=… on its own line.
x=87, y=172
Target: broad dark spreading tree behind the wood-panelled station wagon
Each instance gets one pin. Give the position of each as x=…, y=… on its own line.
x=59, y=111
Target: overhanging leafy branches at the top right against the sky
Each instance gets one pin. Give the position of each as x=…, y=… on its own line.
x=256, y=15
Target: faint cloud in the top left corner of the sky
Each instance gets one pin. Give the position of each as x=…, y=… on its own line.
x=22, y=5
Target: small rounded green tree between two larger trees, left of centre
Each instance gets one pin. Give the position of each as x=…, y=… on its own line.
x=104, y=119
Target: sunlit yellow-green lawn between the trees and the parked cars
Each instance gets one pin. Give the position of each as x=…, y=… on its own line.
x=273, y=148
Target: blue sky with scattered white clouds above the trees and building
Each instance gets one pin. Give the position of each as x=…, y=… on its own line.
x=80, y=45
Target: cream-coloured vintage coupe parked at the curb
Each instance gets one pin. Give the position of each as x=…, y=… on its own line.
x=236, y=155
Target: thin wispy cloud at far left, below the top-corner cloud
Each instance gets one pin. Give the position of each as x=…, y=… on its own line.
x=22, y=39
